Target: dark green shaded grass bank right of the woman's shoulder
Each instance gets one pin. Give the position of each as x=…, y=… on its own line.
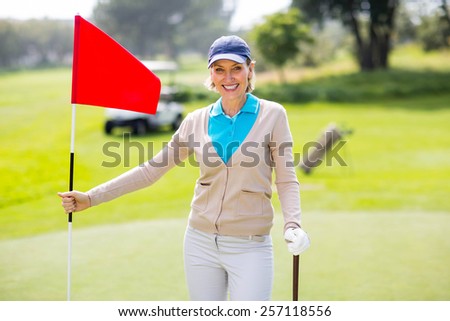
x=363, y=87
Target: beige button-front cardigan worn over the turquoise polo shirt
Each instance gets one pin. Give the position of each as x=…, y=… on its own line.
x=229, y=199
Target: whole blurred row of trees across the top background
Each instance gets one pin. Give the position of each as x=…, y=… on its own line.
x=153, y=29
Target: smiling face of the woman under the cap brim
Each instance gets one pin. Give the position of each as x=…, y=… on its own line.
x=231, y=79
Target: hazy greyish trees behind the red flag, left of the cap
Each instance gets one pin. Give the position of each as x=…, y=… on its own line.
x=147, y=28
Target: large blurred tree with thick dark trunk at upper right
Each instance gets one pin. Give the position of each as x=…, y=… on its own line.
x=371, y=22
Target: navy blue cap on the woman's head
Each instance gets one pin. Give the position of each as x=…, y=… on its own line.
x=230, y=48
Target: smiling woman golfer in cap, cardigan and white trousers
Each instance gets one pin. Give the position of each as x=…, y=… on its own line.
x=238, y=141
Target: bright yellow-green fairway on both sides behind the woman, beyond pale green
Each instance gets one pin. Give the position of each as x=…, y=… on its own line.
x=396, y=157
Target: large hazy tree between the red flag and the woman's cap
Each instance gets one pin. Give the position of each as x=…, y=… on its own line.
x=152, y=27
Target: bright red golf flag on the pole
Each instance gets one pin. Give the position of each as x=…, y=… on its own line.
x=106, y=74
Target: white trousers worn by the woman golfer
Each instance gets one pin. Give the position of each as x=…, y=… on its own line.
x=217, y=266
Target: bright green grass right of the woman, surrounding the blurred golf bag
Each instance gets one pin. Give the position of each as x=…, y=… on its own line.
x=396, y=157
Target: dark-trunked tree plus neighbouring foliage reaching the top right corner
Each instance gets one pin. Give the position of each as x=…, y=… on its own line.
x=373, y=24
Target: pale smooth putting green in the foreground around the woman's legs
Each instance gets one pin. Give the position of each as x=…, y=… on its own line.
x=356, y=256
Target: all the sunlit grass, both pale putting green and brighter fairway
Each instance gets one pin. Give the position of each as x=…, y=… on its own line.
x=378, y=226
